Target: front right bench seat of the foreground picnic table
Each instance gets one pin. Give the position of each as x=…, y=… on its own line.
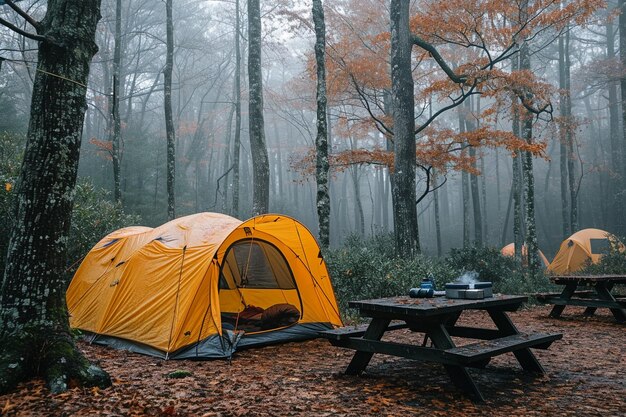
x=487, y=349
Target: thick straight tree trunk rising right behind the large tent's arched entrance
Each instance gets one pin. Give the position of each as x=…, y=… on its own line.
x=258, y=149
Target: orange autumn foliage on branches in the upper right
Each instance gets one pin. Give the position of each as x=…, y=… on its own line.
x=475, y=38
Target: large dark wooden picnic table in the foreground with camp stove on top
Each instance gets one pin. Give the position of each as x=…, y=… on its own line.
x=437, y=319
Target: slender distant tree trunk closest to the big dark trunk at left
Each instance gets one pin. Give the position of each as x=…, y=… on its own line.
x=115, y=107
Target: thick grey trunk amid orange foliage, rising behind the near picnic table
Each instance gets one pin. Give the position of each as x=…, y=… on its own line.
x=404, y=209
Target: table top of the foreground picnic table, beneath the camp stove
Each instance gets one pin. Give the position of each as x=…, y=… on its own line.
x=405, y=305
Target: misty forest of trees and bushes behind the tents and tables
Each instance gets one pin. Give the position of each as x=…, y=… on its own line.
x=427, y=132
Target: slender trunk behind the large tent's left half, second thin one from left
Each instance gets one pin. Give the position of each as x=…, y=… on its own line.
x=169, y=121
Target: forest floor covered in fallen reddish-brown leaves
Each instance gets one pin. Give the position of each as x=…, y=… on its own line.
x=586, y=376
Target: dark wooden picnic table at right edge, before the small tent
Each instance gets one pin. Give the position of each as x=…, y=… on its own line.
x=599, y=296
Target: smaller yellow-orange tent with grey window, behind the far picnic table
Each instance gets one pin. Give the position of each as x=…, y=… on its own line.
x=581, y=248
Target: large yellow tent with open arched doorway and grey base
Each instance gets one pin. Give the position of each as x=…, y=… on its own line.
x=203, y=286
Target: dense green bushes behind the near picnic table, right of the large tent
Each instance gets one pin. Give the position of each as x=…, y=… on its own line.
x=368, y=268
